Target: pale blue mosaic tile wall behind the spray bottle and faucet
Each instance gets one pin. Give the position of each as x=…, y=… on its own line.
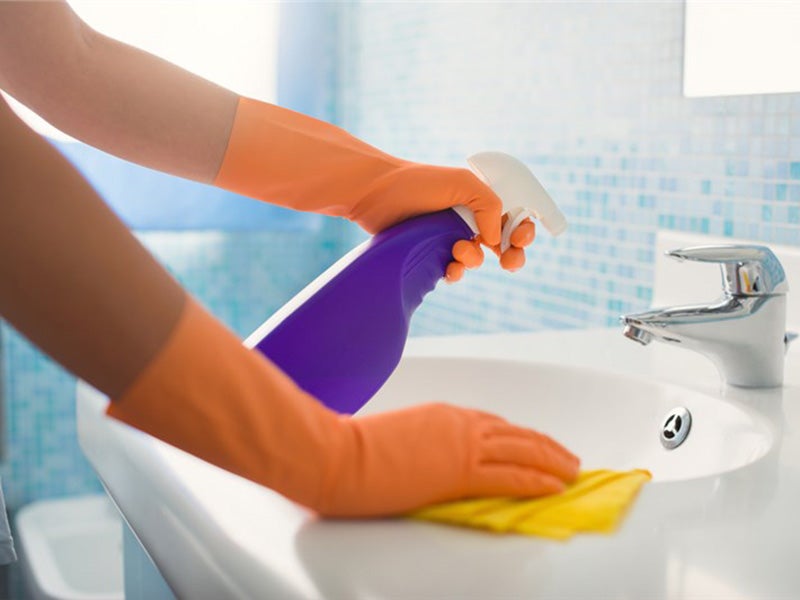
x=589, y=95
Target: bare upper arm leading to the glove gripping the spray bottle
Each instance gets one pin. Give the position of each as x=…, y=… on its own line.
x=111, y=95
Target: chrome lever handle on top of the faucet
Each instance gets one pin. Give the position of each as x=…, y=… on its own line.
x=747, y=270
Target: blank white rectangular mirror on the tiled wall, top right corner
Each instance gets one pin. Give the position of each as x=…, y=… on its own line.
x=741, y=47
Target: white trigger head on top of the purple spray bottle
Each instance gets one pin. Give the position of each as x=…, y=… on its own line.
x=520, y=191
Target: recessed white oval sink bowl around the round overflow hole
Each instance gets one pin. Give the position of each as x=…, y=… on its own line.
x=610, y=421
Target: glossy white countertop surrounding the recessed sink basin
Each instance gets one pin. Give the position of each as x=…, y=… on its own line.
x=734, y=535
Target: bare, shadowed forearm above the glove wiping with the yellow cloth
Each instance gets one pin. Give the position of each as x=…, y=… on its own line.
x=73, y=279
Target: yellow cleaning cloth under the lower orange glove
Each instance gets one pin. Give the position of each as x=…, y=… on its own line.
x=596, y=502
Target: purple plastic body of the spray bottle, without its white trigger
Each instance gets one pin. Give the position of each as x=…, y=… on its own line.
x=343, y=343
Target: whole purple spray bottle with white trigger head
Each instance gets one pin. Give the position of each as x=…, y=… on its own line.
x=342, y=336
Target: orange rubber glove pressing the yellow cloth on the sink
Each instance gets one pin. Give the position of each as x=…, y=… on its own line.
x=207, y=394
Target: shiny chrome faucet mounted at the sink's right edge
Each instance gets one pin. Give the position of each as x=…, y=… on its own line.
x=744, y=332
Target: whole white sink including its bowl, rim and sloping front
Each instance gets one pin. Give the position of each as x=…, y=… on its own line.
x=716, y=522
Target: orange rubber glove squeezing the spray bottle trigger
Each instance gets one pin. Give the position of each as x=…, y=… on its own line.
x=299, y=162
